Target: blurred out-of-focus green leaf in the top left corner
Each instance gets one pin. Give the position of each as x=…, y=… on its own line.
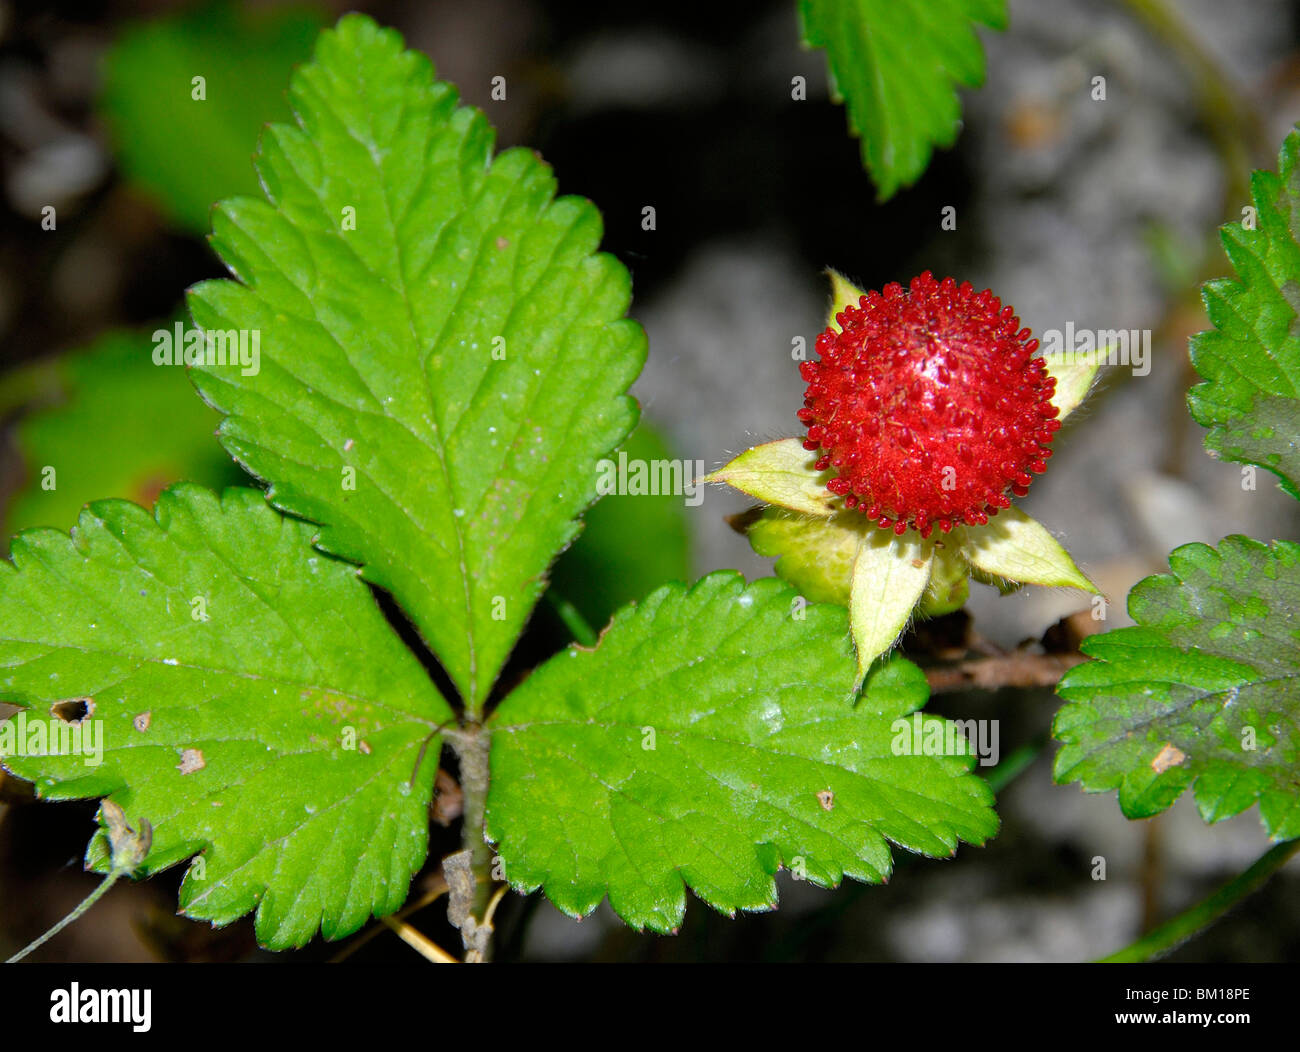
x=187, y=97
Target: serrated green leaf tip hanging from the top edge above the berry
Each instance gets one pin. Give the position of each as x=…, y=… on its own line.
x=896, y=64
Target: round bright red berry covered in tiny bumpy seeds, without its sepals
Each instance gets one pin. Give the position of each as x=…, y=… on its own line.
x=930, y=405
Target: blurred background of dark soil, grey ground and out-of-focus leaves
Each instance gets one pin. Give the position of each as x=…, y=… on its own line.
x=1099, y=214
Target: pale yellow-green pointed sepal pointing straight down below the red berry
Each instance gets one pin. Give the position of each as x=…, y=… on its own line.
x=890, y=577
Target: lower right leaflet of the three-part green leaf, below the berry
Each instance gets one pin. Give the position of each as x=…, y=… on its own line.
x=710, y=741
